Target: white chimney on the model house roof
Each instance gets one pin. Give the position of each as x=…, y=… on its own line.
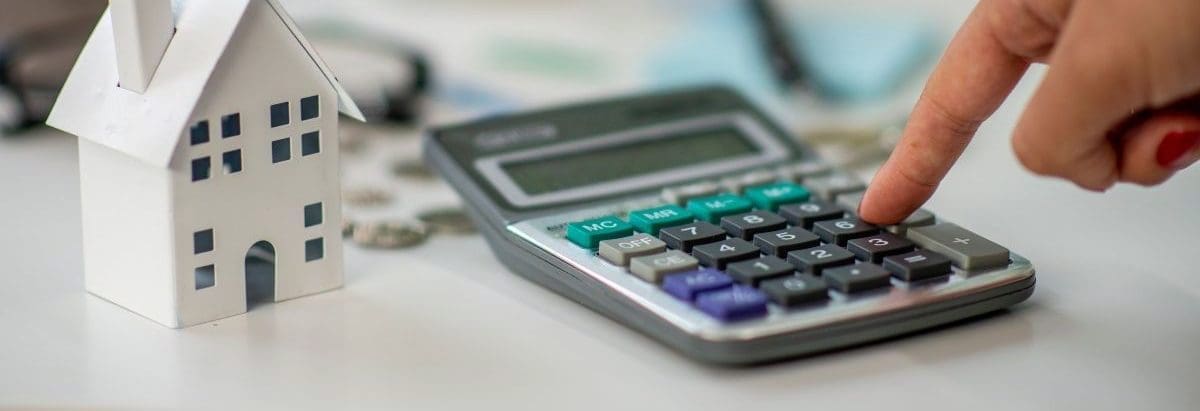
x=142, y=29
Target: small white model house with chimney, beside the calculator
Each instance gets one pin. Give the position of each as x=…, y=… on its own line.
x=208, y=133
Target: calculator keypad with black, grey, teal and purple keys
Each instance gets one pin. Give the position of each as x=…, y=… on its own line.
x=731, y=257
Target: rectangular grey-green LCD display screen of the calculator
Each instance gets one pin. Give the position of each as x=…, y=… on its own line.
x=635, y=158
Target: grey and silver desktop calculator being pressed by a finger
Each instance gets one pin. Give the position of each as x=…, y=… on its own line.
x=693, y=218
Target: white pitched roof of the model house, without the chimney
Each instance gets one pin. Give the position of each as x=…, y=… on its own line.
x=149, y=126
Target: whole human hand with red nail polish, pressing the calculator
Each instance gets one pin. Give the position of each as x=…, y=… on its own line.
x=1120, y=102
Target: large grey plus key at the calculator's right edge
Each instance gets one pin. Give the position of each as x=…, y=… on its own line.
x=965, y=249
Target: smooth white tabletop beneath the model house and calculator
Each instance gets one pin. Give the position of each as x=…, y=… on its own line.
x=1114, y=325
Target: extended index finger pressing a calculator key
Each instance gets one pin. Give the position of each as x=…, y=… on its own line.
x=974, y=78
